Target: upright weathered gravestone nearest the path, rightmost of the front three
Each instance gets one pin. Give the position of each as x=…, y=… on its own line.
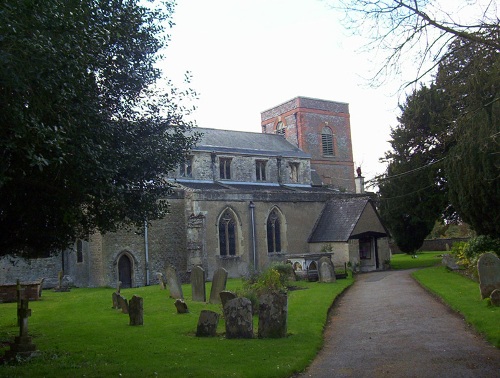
x=273, y=315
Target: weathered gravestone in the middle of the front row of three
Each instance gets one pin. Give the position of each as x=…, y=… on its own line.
x=239, y=320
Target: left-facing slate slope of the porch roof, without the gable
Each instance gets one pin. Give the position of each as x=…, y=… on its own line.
x=338, y=219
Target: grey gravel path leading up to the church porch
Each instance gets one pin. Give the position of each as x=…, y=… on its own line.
x=386, y=325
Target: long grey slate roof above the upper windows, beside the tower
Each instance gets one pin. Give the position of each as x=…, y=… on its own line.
x=242, y=142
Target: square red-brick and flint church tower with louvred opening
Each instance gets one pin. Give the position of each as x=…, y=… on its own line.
x=322, y=129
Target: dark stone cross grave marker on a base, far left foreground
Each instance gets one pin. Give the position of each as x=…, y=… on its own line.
x=22, y=345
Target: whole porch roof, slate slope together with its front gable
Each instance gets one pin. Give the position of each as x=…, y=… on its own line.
x=343, y=218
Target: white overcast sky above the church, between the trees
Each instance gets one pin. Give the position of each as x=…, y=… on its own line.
x=247, y=56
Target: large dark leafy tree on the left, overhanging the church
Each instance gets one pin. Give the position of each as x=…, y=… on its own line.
x=85, y=138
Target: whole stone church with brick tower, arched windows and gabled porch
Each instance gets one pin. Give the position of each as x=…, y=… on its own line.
x=244, y=200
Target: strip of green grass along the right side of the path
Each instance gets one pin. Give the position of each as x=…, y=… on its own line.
x=462, y=295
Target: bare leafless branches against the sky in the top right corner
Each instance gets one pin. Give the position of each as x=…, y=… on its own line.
x=420, y=30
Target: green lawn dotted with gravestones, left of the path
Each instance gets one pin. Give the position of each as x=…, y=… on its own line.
x=78, y=334
